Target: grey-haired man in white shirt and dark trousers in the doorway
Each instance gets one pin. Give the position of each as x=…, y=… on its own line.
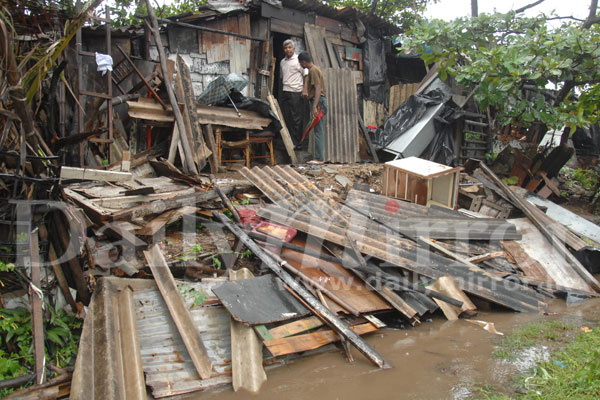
x=292, y=75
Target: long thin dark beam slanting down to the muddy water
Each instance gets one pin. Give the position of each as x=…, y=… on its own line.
x=322, y=311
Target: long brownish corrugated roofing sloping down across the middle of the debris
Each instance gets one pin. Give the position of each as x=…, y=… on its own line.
x=301, y=205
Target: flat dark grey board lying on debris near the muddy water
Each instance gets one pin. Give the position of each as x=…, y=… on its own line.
x=259, y=301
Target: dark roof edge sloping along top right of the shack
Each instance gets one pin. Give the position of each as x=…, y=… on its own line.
x=347, y=14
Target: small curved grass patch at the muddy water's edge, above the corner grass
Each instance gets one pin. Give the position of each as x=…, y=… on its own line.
x=546, y=332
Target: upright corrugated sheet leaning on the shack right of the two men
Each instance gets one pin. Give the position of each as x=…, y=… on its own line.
x=341, y=144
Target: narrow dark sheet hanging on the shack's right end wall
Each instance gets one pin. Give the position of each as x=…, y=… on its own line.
x=374, y=67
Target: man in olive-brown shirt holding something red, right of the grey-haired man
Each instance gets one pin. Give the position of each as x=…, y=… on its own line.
x=315, y=91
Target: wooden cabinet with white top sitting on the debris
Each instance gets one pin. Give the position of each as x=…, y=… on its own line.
x=421, y=182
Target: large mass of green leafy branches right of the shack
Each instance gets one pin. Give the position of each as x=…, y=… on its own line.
x=505, y=55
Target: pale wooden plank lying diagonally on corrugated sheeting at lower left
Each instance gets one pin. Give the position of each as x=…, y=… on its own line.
x=179, y=311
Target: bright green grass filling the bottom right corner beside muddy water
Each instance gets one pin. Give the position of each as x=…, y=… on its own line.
x=571, y=373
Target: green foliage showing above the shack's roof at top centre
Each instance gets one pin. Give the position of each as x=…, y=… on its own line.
x=403, y=13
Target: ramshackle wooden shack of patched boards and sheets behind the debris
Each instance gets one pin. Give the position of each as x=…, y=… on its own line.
x=231, y=37
